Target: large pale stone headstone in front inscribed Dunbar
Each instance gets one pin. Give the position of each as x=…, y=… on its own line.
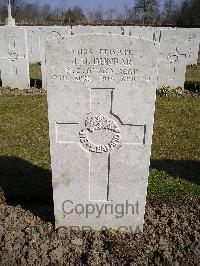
x=101, y=100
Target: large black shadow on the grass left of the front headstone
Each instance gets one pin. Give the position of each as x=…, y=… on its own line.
x=27, y=185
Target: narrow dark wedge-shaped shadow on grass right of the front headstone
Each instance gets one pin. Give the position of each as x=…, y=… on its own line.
x=185, y=169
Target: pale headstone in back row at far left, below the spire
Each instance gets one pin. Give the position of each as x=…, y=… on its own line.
x=14, y=64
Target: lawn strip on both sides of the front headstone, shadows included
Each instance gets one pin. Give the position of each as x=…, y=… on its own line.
x=25, y=159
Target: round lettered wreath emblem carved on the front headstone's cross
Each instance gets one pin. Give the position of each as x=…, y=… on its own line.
x=96, y=123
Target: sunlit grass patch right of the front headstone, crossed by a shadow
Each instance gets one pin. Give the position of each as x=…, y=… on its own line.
x=175, y=166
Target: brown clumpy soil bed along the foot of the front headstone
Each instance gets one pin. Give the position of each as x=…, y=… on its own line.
x=171, y=237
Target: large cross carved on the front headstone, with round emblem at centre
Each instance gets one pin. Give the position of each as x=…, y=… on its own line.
x=100, y=135
